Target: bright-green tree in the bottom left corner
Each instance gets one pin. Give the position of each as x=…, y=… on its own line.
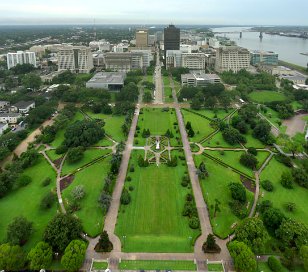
x=12, y=257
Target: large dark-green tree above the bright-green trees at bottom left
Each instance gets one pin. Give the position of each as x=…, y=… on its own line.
x=61, y=230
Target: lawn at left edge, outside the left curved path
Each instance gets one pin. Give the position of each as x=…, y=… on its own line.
x=26, y=202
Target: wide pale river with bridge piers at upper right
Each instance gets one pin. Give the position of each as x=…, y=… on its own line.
x=288, y=48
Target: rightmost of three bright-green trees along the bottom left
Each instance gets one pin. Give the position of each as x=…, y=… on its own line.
x=74, y=255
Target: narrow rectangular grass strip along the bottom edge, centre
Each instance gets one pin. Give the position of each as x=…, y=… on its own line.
x=157, y=265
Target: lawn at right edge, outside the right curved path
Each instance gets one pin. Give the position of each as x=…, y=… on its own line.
x=281, y=195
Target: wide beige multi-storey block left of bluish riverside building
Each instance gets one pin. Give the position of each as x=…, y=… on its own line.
x=232, y=58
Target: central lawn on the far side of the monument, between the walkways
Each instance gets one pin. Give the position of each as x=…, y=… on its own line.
x=158, y=122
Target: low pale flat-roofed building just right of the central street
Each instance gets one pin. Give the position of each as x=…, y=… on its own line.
x=199, y=79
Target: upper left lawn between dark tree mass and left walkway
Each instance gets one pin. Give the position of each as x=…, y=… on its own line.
x=113, y=125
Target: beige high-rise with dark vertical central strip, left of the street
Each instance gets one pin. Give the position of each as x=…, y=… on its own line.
x=77, y=59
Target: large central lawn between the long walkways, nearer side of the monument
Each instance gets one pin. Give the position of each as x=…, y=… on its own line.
x=153, y=221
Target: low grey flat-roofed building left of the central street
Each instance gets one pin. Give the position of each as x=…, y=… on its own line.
x=113, y=81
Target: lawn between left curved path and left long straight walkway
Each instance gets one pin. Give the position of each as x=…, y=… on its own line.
x=92, y=178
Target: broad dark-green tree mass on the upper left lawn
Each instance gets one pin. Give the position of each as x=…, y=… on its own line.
x=83, y=133
